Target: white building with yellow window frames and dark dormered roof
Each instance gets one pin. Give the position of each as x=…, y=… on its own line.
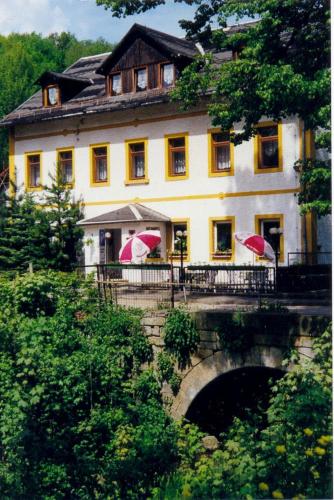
x=137, y=161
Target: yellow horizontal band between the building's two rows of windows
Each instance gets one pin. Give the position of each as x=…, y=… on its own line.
x=214, y=196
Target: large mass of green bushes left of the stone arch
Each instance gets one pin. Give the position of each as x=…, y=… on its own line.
x=79, y=415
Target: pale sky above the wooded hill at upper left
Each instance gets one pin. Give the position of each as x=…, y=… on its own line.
x=25, y=16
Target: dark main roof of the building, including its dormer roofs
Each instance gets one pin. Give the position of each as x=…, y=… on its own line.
x=92, y=99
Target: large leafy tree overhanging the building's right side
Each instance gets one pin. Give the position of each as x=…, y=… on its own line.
x=281, y=69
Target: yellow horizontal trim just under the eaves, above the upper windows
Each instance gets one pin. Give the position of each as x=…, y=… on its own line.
x=132, y=123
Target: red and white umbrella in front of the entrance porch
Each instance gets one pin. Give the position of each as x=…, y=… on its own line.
x=136, y=248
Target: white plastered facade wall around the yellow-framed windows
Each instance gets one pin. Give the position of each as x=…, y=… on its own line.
x=99, y=200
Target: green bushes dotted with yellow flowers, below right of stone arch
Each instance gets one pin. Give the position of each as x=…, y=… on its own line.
x=284, y=452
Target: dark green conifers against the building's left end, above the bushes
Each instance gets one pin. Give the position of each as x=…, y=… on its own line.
x=46, y=238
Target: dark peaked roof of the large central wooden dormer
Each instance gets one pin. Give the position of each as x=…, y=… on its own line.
x=173, y=46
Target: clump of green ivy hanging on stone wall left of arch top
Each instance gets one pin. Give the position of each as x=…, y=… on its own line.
x=180, y=335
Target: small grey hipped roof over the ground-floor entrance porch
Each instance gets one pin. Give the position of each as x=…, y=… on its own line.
x=134, y=212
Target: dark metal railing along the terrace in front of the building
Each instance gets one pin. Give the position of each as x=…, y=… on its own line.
x=161, y=285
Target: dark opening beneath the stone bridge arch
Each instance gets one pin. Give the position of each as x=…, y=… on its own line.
x=233, y=394
